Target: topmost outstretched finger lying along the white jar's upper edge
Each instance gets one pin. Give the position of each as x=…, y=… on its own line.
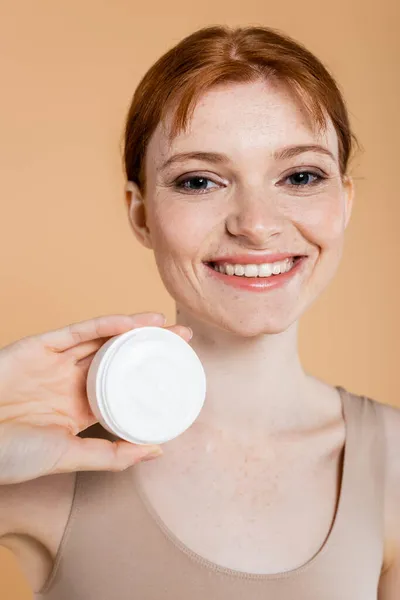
x=60, y=340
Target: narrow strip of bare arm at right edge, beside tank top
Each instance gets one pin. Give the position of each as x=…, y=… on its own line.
x=389, y=585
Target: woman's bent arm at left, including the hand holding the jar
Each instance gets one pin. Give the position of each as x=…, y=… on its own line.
x=44, y=438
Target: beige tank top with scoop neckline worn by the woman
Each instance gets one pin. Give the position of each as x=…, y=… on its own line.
x=116, y=548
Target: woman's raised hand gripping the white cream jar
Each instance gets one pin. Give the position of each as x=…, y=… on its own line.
x=43, y=401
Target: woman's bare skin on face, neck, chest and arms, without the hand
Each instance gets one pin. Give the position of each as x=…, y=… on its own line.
x=268, y=444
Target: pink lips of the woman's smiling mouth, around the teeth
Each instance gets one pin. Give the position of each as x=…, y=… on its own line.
x=258, y=284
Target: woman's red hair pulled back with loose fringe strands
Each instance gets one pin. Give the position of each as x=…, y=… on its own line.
x=220, y=54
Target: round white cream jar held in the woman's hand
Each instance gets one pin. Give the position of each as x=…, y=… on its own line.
x=146, y=386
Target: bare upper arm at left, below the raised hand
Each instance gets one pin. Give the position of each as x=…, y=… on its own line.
x=33, y=517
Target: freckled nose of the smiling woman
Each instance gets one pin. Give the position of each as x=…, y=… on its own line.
x=254, y=219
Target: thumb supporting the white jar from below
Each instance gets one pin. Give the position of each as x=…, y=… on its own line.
x=90, y=454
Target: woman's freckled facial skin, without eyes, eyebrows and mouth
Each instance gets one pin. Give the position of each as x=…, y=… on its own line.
x=247, y=206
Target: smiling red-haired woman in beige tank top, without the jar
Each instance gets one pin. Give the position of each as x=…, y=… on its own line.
x=236, y=154
